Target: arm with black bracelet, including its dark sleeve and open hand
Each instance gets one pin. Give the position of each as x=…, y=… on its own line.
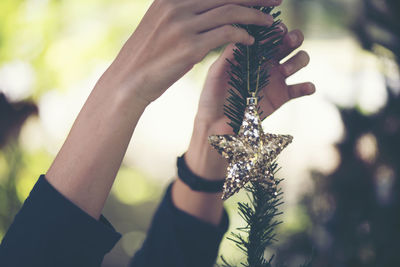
x=191, y=224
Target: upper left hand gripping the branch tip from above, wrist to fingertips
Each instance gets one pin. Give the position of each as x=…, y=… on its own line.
x=175, y=35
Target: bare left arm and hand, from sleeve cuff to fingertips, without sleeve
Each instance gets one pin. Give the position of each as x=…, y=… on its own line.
x=170, y=34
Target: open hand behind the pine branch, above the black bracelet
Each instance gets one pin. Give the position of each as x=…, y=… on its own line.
x=210, y=119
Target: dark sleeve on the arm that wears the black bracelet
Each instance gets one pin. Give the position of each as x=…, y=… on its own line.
x=177, y=239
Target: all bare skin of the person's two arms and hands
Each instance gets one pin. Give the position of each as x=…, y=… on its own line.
x=171, y=38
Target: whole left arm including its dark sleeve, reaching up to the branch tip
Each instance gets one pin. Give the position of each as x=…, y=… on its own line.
x=54, y=228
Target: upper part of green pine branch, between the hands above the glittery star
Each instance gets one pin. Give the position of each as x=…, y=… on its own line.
x=249, y=70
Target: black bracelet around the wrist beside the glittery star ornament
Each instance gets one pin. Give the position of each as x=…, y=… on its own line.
x=195, y=182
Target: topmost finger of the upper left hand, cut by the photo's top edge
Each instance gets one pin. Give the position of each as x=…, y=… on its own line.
x=202, y=6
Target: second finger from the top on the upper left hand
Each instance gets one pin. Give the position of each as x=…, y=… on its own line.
x=231, y=14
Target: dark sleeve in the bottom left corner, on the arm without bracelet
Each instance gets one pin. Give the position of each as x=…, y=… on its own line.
x=50, y=231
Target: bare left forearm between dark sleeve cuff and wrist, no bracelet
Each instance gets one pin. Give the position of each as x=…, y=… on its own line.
x=85, y=167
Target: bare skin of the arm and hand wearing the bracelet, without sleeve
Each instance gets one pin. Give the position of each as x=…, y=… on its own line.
x=201, y=158
